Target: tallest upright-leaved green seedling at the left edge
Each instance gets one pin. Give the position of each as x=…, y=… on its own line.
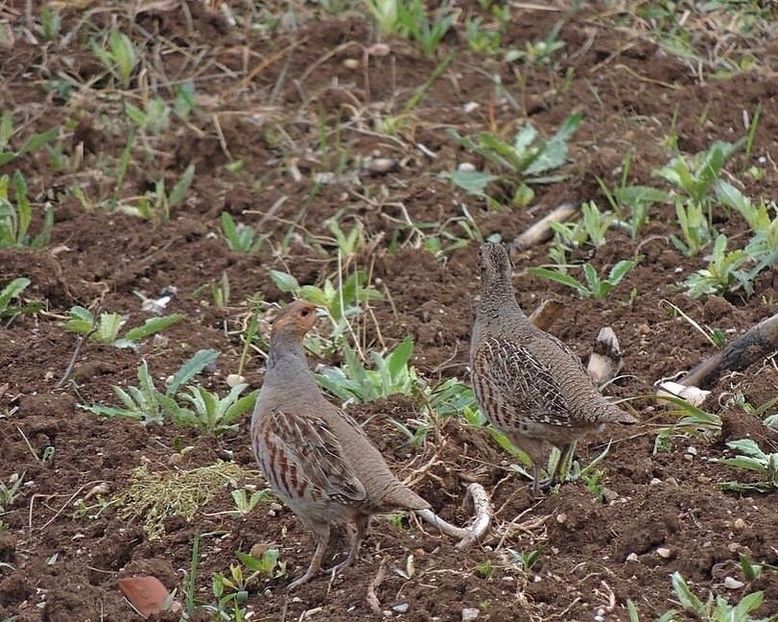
x=16, y=216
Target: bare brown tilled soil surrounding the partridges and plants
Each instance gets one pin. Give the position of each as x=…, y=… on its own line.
x=61, y=565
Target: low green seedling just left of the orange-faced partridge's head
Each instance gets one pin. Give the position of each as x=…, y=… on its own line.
x=105, y=328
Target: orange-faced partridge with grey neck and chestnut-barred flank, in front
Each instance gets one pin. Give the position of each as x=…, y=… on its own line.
x=315, y=457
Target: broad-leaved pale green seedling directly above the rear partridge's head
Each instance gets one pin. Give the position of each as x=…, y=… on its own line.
x=526, y=160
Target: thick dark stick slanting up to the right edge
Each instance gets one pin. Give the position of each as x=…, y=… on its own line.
x=757, y=343
